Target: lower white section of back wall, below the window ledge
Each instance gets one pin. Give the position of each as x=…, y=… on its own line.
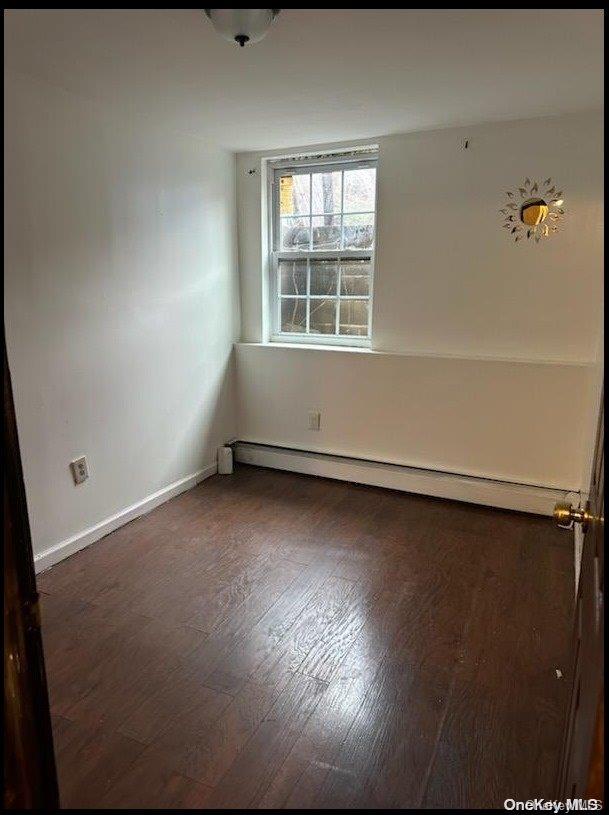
x=484, y=418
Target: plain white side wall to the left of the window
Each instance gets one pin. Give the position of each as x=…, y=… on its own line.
x=121, y=304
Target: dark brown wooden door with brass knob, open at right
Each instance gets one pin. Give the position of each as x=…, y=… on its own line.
x=581, y=774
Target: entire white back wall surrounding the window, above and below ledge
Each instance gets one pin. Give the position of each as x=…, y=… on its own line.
x=483, y=350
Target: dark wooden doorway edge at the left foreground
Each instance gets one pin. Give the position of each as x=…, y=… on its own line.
x=29, y=764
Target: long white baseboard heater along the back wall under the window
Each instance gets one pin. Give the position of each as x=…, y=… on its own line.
x=501, y=494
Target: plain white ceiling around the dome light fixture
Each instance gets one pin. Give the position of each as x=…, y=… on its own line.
x=320, y=74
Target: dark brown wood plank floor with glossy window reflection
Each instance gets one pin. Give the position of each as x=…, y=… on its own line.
x=270, y=640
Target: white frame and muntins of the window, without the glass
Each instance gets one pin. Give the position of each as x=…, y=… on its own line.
x=306, y=166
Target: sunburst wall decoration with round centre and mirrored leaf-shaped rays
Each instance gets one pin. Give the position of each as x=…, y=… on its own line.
x=533, y=210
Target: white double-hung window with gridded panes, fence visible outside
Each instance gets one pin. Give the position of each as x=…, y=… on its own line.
x=323, y=235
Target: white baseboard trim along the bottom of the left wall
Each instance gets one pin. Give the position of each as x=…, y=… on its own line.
x=70, y=546
